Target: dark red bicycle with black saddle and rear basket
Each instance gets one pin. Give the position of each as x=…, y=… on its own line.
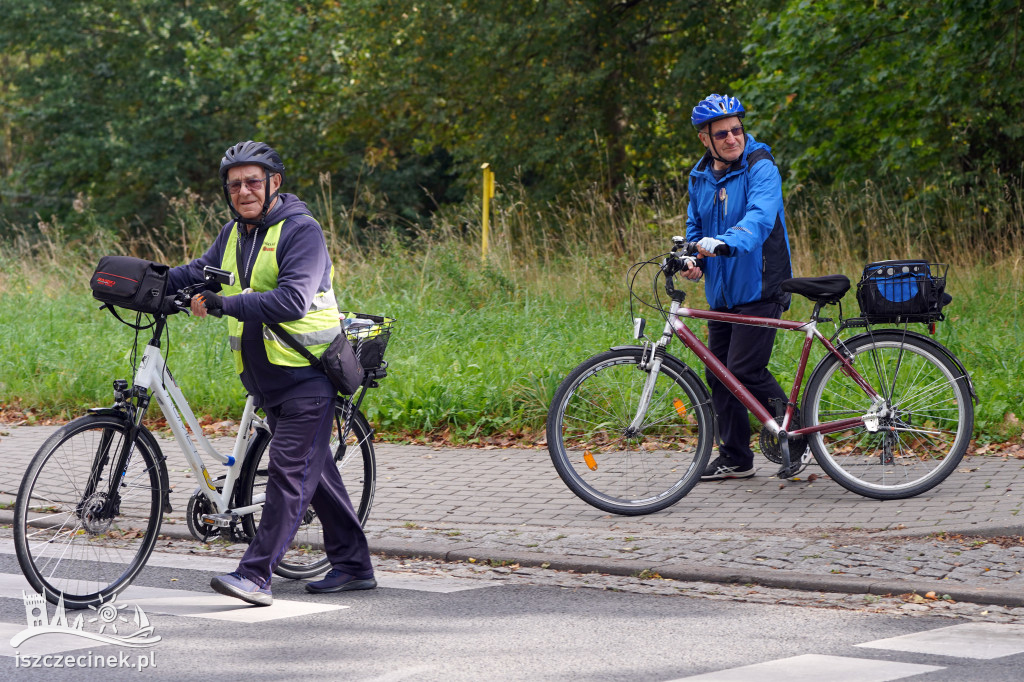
x=887, y=413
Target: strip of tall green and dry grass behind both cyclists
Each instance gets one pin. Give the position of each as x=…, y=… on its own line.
x=483, y=343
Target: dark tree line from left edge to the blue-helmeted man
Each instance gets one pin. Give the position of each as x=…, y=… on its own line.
x=121, y=105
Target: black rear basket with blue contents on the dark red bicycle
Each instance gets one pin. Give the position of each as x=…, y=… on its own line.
x=904, y=291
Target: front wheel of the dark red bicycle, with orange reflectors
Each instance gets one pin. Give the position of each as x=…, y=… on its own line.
x=630, y=476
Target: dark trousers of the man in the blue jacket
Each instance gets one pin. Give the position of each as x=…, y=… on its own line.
x=746, y=351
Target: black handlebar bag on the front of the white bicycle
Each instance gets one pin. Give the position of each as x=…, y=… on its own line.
x=131, y=283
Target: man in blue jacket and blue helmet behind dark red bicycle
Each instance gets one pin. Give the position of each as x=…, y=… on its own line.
x=736, y=217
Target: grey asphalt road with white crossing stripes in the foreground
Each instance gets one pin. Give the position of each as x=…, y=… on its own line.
x=442, y=622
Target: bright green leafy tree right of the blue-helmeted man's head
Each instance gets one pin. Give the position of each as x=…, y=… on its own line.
x=926, y=91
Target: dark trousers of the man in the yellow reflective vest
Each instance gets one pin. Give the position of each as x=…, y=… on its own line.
x=303, y=473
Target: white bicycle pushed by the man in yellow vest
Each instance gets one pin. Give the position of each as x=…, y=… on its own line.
x=93, y=499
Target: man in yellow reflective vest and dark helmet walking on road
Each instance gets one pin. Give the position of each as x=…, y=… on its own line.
x=283, y=276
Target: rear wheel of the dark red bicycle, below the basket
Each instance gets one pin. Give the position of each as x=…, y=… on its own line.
x=914, y=450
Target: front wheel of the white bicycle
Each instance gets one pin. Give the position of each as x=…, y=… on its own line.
x=64, y=550
